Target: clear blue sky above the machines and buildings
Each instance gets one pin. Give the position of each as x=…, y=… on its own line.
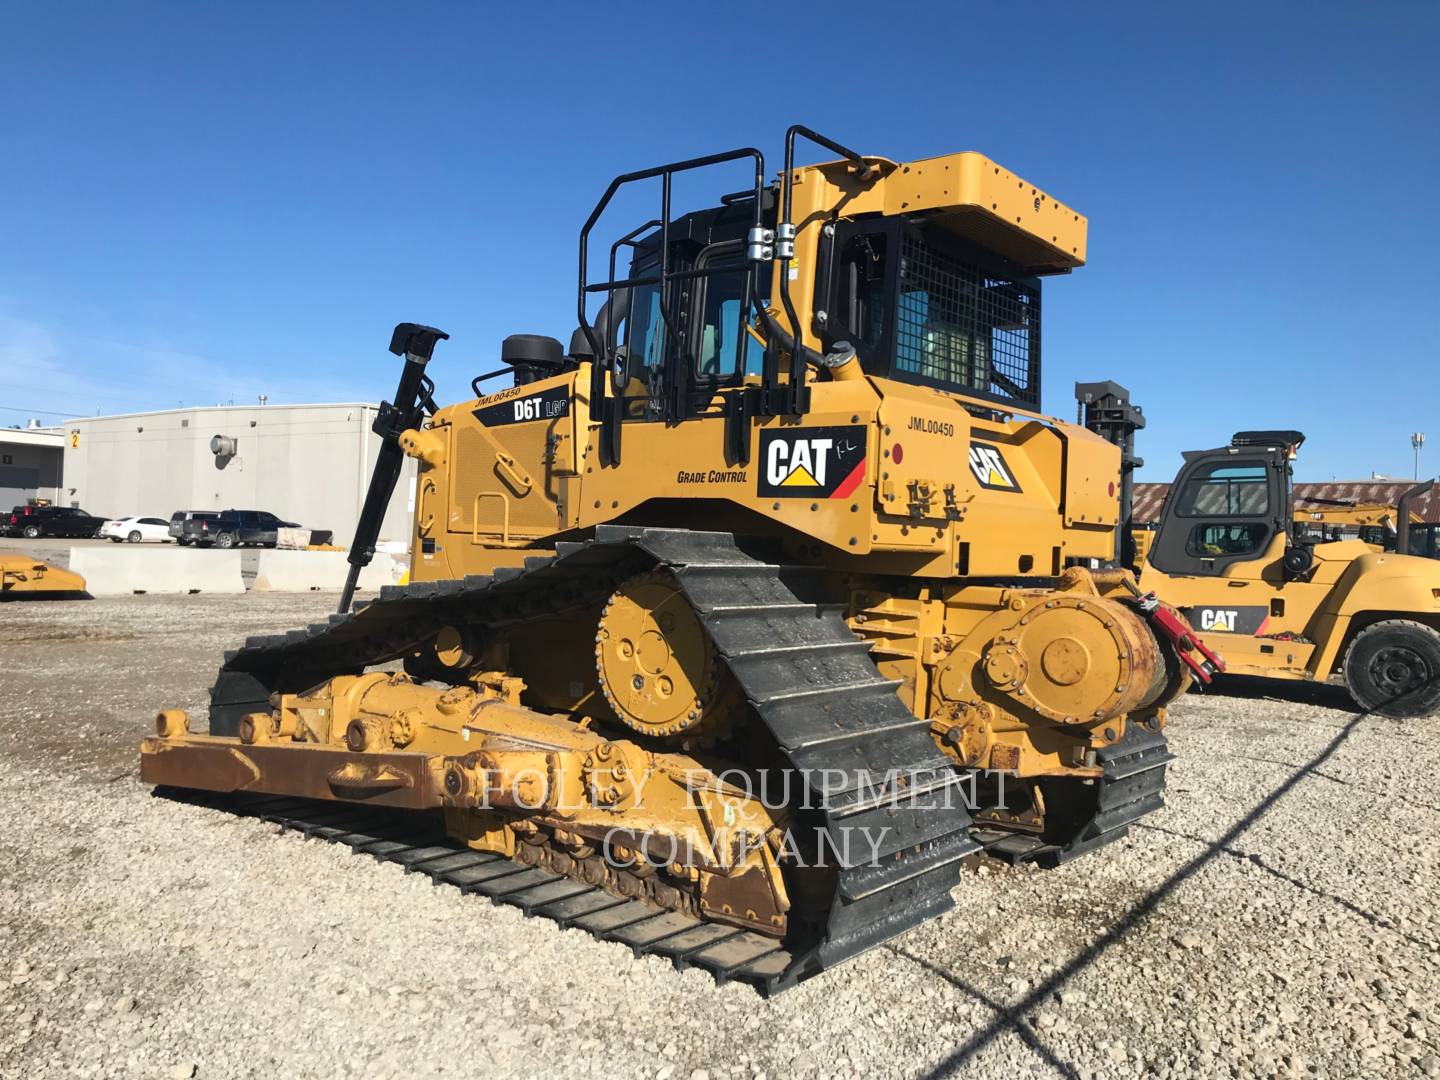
x=211, y=202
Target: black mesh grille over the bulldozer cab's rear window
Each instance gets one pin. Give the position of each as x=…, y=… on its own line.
x=958, y=328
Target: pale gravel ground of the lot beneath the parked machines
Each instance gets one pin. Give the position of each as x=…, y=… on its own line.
x=1277, y=919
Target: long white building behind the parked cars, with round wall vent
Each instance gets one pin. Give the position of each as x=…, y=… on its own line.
x=305, y=463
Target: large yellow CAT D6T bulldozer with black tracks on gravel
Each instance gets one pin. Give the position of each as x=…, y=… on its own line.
x=737, y=627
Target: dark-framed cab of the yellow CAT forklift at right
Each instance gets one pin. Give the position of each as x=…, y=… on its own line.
x=1230, y=506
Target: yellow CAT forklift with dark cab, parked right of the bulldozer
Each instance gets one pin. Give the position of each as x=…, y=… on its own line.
x=1236, y=557
